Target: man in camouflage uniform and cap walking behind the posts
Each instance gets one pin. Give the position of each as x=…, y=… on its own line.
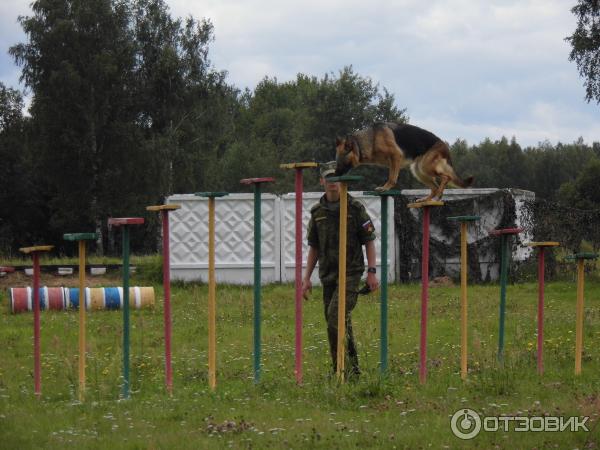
x=323, y=241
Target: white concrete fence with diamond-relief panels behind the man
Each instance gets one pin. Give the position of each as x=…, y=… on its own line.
x=234, y=236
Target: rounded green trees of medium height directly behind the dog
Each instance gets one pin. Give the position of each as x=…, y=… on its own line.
x=299, y=120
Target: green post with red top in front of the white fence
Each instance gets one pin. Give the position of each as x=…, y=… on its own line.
x=257, y=268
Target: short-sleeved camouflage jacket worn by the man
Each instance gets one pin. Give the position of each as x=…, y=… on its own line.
x=323, y=234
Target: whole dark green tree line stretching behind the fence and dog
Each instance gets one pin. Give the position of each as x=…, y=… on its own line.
x=127, y=108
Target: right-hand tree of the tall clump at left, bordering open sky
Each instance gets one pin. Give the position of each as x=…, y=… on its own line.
x=179, y=95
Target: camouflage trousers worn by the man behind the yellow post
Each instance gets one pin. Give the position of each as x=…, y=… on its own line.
x=330, y=302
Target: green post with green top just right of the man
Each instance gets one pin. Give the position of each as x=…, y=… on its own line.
x=383, y=351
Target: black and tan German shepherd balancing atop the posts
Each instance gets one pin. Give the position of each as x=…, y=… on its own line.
x=397, y=146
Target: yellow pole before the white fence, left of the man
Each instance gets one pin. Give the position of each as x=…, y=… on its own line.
x=212, y=340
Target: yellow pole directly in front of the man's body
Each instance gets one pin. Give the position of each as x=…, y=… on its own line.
x=341, y=350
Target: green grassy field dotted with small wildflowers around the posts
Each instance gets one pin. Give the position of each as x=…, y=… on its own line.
x=370, y=413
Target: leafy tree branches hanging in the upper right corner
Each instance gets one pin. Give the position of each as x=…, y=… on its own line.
x=585, y=42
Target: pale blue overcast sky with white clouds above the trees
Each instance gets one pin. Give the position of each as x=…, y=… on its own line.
x=466, y=69
